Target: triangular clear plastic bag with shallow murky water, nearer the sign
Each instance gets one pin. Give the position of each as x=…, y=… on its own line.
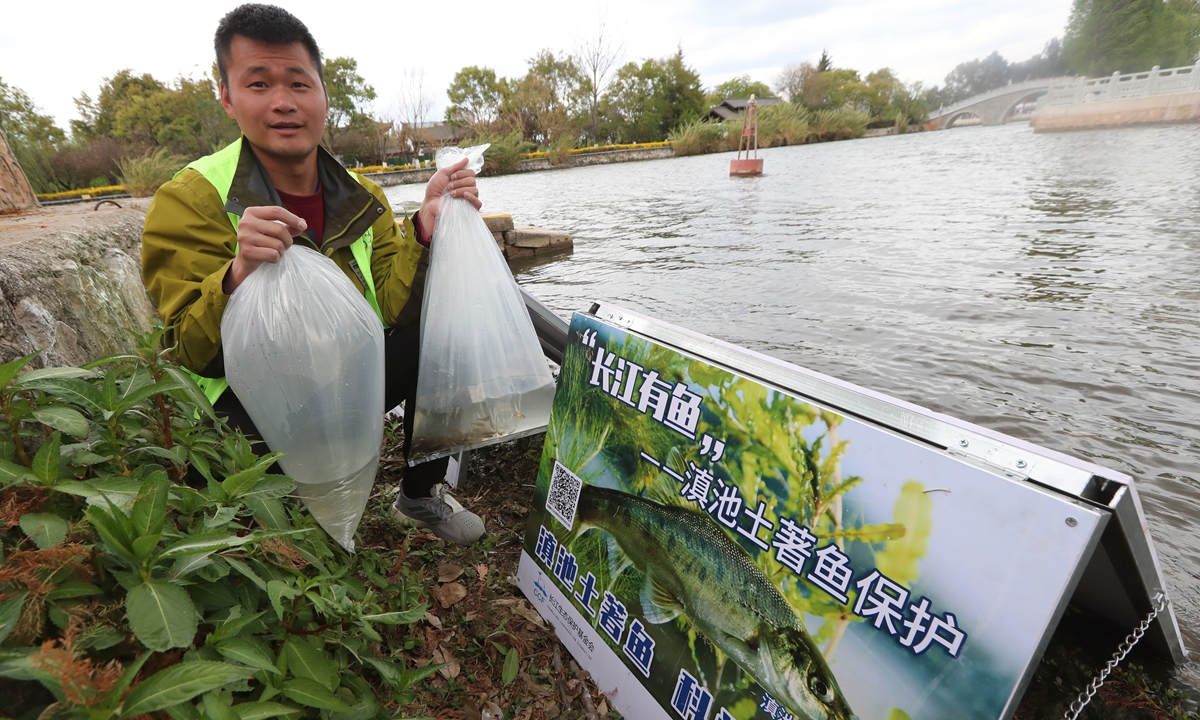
x=484, y=377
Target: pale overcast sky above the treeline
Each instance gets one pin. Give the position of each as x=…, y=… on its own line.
x=56, y=51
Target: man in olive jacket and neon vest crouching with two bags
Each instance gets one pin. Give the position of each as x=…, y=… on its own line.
x=231, y=212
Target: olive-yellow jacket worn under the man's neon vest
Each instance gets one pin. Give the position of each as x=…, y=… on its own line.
x=189, y=243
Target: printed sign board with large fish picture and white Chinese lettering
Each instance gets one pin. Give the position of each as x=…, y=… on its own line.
x=712, y=543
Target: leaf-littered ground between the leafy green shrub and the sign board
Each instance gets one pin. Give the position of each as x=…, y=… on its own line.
x=478, y=616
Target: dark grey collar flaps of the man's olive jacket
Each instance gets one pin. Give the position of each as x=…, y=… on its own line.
x=350, y=208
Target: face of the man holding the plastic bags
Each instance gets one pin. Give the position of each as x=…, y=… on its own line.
x=277, y=98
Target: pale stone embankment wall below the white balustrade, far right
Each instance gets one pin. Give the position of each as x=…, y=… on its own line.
x=1184, y=107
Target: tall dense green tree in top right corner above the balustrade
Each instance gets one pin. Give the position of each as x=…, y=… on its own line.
x=1106, y=37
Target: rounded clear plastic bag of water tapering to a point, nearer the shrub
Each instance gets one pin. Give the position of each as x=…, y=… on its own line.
x=304, y=353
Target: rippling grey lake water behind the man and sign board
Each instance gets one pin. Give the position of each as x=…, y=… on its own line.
x=1045, y=286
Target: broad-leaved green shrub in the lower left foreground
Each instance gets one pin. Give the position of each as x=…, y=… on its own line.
x=149, y=561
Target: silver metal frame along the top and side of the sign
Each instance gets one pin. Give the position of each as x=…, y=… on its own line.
x=1124, y=574
